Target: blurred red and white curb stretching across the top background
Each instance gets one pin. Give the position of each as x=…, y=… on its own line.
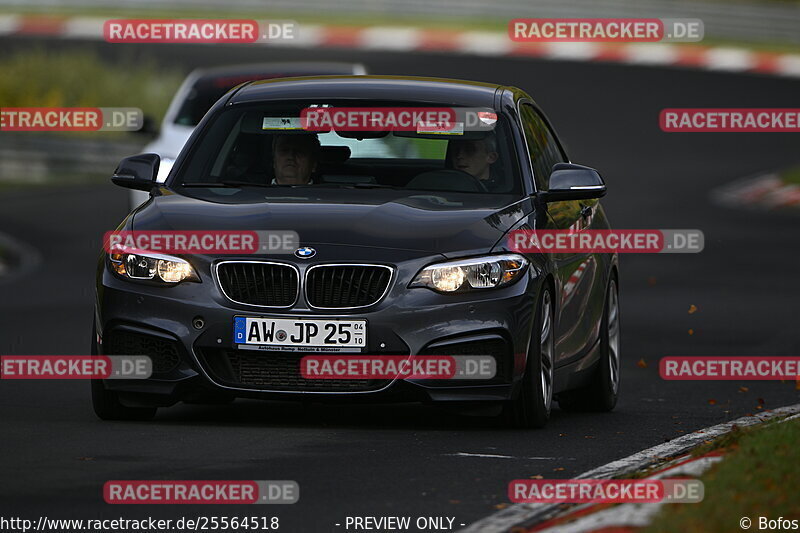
x=407, y=39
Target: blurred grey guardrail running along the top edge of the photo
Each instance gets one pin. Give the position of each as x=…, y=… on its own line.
x=763, y=21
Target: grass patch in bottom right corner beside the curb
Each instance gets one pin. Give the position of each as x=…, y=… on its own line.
x=760, y=476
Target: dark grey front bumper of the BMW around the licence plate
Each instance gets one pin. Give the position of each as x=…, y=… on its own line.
x=194, y=363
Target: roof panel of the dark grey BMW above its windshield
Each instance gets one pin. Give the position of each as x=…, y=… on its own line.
x=385, y=88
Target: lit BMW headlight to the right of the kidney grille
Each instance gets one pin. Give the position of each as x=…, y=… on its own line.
x=487, y=272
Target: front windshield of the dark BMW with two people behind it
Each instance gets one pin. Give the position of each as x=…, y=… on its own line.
x=269, y=145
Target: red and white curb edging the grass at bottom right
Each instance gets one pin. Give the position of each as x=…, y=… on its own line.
x=528, y=514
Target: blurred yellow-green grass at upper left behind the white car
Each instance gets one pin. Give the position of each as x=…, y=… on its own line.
x=35, y=78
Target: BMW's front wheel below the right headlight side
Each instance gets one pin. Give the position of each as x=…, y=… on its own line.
x=531, y=407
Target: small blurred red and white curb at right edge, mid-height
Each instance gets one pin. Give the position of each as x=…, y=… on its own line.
x=765, y=191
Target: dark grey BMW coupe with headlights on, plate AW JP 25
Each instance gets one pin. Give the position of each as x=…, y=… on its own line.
x=402, y=250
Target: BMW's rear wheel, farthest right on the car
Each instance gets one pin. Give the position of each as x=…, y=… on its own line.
x=601, y=394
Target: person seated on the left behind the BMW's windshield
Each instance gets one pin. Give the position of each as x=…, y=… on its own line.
x=294, y=158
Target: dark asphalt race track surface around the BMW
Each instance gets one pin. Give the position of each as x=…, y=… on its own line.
x=409, y=460
